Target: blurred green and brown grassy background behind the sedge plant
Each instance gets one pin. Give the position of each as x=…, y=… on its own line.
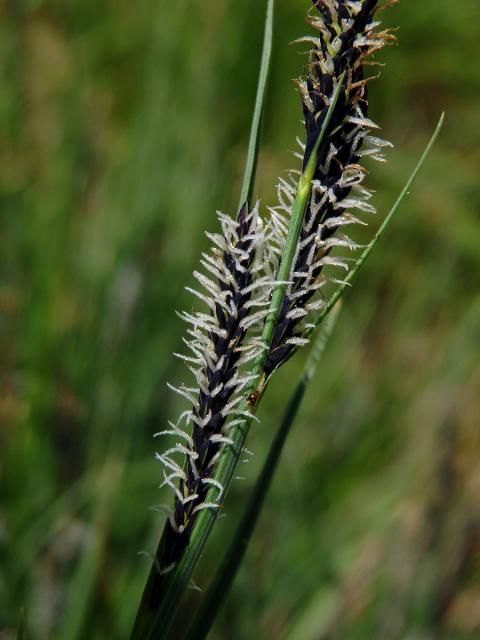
x=123, y=129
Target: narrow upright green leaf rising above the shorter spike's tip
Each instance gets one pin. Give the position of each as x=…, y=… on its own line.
x=253, y=145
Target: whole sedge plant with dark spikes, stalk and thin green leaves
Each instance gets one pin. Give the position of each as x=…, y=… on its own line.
x=260, y=289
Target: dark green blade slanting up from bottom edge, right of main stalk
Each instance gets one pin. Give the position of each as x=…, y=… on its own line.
x=234, y=556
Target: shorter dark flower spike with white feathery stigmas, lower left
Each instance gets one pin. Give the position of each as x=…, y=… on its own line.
x=236, y=292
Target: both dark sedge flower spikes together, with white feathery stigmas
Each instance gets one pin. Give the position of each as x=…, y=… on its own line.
x=240, y=271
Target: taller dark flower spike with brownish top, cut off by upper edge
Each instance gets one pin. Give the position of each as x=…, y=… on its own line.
x=348, y=36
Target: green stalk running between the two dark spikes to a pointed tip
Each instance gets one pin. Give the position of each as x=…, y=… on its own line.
x=163, y=593
